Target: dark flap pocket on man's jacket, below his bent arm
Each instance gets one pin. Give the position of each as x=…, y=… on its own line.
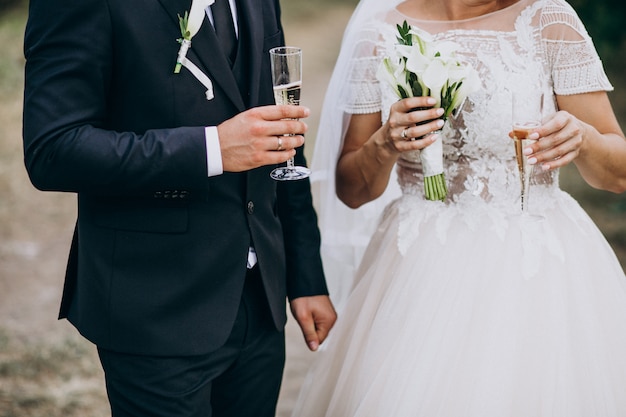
x=138, y=216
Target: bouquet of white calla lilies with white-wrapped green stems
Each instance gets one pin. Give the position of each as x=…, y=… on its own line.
x=419, y=66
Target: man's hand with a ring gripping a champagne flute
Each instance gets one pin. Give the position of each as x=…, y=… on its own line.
x=266, y=135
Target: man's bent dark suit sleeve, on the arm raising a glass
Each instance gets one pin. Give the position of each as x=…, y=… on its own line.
x=69, y=141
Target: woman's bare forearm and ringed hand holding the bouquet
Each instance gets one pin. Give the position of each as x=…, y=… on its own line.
x=370, y=150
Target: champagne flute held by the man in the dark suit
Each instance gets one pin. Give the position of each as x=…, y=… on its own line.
x=286, y=63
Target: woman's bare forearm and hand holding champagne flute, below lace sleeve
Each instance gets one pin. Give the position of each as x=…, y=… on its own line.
x=585, y=131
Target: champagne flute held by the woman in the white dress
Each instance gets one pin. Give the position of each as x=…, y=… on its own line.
x=527, y=107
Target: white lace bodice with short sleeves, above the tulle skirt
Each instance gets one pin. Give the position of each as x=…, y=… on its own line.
x=539, y=44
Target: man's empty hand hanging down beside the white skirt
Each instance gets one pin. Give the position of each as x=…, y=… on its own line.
x=316, y=316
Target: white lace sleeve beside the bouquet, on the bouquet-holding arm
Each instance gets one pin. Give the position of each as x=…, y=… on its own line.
x=362, y=88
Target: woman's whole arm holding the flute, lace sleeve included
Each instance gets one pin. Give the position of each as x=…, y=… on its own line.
x=585, y=130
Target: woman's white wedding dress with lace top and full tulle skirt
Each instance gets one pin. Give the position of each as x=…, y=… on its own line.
x=464, y=308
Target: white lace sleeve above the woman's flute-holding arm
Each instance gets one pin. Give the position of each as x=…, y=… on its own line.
x=576, y=66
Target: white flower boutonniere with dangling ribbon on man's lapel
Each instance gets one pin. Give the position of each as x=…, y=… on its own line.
x=190, y=25
